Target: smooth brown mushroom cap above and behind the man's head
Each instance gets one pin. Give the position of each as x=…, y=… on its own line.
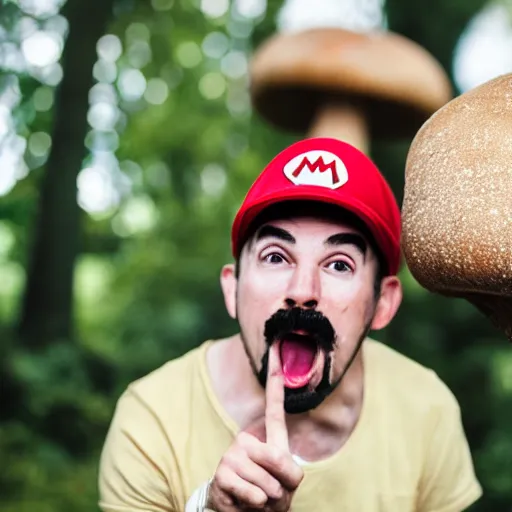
x=397, y=82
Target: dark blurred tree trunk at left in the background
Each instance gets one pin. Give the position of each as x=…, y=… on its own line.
x=47, y=306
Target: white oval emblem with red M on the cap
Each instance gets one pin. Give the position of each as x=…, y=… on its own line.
x=320, y=168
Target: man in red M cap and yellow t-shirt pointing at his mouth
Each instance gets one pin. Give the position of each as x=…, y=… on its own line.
x=301, y=410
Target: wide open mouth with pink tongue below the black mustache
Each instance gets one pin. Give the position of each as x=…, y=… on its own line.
x=302, y=360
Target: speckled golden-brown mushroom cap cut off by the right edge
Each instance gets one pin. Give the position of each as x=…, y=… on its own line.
x=457, y=207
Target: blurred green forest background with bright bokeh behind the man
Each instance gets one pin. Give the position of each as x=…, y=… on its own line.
x=127, y=142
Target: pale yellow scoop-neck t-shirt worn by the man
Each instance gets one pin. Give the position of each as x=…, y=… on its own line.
x=408, y=452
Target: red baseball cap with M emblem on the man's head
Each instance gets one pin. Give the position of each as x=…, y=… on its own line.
x=328, y=171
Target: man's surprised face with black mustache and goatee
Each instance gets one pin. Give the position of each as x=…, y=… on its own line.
x=308, y=284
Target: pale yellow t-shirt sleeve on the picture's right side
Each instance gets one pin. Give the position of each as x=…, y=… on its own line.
x=448, y=483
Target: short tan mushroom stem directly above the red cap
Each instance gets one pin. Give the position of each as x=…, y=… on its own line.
x=341, y=121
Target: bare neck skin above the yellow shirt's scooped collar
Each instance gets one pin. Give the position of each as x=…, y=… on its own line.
x=243, y=398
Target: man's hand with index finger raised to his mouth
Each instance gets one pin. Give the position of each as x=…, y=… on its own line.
x=254, y=475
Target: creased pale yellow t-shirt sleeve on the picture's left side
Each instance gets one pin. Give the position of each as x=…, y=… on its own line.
x=133, y=470
